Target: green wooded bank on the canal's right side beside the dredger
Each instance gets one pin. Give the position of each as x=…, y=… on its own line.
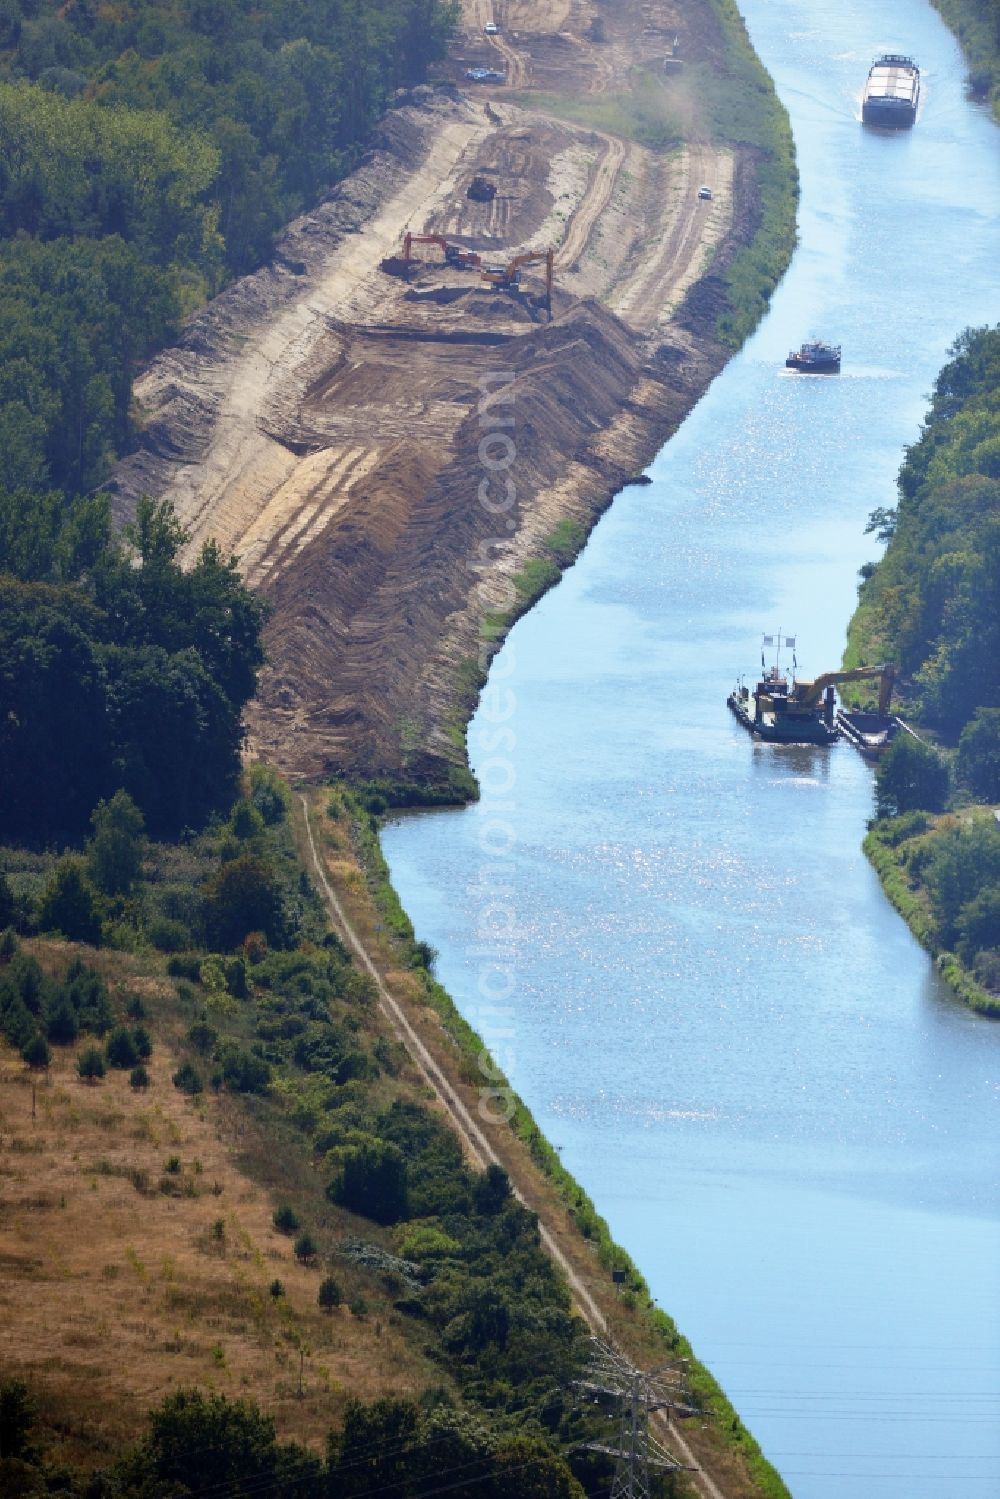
x=930, y=608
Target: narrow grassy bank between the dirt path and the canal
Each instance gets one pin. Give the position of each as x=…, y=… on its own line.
x=647, y=1333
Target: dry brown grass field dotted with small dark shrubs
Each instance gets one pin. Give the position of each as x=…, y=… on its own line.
x=137, y=1257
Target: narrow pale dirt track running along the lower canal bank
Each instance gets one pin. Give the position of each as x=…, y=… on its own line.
x=475, y=1140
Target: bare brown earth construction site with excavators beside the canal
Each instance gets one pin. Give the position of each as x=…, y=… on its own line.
x=385, y=453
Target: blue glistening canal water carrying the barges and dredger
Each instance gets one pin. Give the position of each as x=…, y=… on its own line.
x=669, y=933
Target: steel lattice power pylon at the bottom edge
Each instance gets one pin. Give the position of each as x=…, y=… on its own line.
x=638, y=1393
